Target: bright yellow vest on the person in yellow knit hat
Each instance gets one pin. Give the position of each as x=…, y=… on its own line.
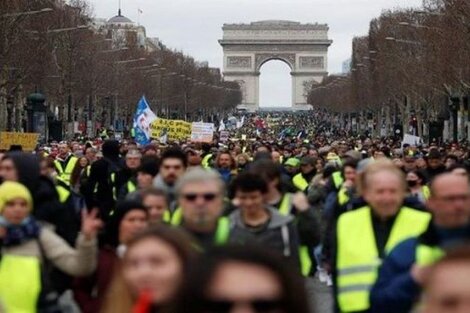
x=20, y=283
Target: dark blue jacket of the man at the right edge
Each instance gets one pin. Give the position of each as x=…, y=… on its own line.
x=395, y=291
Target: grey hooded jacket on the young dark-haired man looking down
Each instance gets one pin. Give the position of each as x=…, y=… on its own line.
x=279, y=234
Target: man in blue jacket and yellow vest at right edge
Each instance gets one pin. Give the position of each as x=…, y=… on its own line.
x=406, y=267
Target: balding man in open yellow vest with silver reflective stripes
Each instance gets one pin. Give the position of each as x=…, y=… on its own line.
x=366, y=235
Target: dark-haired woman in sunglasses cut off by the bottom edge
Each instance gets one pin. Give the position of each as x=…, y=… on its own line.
x=242, y=279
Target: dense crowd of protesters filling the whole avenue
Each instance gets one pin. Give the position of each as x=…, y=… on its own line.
x=236, y=226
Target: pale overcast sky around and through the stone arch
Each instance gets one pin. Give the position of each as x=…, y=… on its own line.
x=194, y=26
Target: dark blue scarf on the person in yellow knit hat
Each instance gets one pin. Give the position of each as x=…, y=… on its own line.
x=18, y=234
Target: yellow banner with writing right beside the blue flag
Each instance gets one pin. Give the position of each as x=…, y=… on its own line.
x=175, y=129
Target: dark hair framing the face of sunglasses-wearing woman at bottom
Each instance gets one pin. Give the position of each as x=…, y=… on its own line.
x=194, y=291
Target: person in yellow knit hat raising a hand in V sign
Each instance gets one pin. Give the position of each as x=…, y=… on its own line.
x=28, y=246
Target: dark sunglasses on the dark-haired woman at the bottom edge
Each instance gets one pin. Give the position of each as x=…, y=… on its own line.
x=258, y=305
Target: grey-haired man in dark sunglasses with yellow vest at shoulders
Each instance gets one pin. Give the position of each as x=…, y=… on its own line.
x=200, y=196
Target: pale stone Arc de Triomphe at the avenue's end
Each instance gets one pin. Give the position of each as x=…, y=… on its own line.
x=304, y=47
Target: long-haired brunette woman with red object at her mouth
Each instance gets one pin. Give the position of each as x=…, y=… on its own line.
x=153, y=269
